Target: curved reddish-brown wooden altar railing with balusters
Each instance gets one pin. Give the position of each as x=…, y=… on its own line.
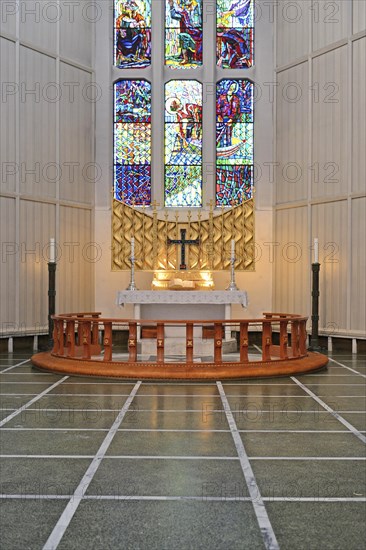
x=78, y=336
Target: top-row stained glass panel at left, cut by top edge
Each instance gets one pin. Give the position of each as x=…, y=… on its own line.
x=132, y=33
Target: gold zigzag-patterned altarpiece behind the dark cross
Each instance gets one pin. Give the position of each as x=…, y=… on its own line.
x=152, y=231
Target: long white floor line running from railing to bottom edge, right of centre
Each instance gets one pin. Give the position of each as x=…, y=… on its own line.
x=268, y=535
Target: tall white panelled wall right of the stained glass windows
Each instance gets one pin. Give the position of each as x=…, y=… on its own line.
x=320, y=155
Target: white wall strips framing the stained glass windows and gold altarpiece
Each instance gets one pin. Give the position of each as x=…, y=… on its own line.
x=258, y=283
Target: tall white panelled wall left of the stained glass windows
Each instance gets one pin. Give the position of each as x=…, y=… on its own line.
x=47, y=160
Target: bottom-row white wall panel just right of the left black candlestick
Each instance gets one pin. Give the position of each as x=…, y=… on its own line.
x=76, y=266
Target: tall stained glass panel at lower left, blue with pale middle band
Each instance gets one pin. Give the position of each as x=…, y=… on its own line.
x=132, y=141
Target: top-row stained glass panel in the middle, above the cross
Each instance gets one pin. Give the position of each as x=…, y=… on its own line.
x=183, y=33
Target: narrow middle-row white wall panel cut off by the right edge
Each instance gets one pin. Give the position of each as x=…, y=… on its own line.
x=359, y=116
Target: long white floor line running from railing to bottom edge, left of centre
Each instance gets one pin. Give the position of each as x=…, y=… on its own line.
x=68, y=513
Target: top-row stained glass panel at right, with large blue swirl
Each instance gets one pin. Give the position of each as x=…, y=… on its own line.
x=234, y=33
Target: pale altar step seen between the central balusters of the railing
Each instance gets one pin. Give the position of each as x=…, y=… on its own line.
x=177, y=346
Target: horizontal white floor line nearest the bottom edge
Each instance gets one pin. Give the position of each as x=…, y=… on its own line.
x=185, y=498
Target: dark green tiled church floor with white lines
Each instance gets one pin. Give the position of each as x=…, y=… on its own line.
x=107, y=464
